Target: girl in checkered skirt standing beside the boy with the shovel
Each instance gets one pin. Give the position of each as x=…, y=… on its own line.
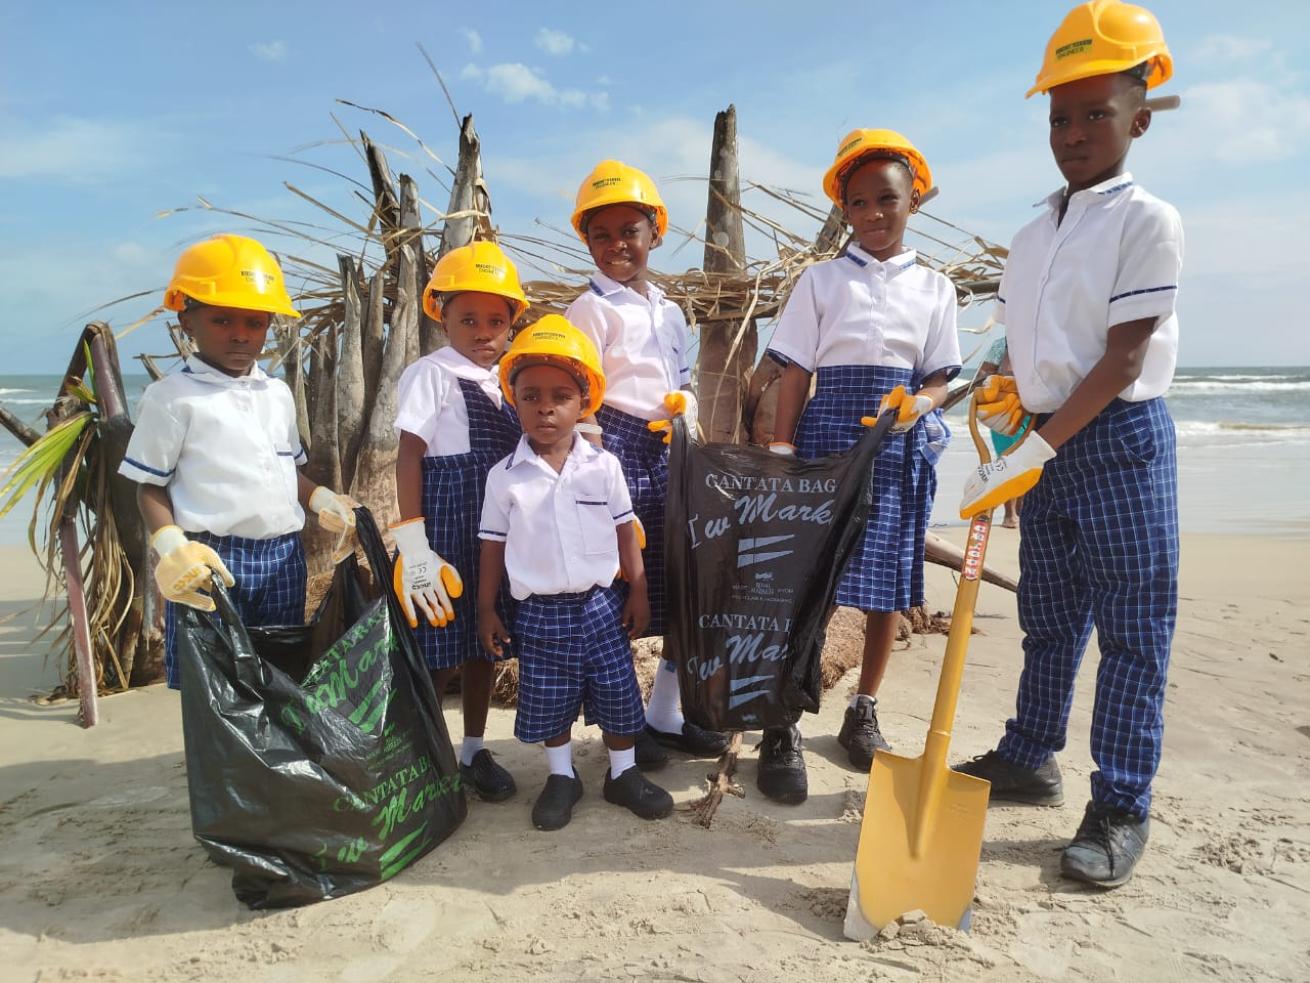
x=878, y=330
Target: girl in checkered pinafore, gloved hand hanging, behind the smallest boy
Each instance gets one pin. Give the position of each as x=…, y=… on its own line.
x=454, y=425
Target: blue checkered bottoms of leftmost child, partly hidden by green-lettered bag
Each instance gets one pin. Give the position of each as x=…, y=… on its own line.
x=271, y=587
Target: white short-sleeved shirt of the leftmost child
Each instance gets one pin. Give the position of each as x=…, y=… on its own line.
x=225, y=448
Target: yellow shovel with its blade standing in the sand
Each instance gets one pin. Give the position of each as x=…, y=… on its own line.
x=923, y=829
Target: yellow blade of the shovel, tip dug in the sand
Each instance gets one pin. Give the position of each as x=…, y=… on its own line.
x=891, y=879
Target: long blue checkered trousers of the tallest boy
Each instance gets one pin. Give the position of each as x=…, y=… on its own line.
x=1100, y=547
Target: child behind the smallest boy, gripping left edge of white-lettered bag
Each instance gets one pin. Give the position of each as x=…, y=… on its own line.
x=644, y=347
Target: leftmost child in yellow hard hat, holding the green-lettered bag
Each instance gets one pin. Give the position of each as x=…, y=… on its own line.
x=215, y=450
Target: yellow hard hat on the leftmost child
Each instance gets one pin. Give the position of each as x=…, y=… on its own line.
x=230, y=272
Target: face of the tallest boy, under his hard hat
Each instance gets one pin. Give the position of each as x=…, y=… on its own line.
x=1093, y=124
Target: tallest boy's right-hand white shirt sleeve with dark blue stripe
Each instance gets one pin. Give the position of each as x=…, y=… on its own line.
x=1151, y=261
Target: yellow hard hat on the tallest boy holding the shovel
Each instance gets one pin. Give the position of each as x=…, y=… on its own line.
x=1104, y=37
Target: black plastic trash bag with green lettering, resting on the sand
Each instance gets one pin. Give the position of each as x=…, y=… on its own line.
x=316, y=787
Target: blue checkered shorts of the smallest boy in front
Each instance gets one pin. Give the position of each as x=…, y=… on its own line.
x=574, y=653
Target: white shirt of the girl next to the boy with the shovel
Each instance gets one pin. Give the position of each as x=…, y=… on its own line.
x=857, y=311
